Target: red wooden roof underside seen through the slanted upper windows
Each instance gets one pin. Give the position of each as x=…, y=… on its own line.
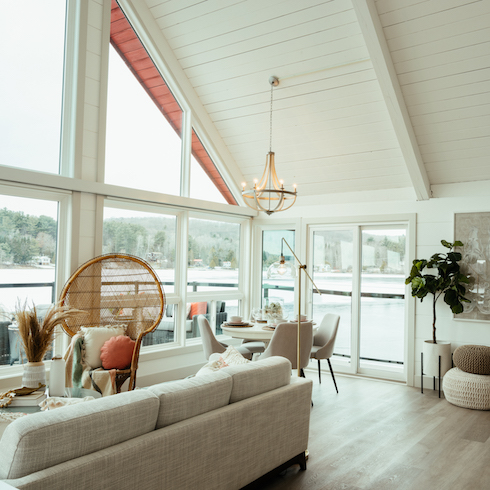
x=127, y=44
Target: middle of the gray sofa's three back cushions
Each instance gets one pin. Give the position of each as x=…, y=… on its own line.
x=180, y=400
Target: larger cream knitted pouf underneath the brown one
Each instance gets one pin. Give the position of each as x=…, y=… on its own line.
x=467, y=390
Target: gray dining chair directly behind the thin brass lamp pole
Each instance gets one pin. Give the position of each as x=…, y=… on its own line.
x=284, y=341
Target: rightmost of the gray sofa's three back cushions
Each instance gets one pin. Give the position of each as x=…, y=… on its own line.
x=258, y=377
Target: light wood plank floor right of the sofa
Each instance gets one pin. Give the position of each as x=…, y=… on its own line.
x=379, y=435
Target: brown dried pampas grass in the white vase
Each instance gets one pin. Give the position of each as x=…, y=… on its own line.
x=37, y=337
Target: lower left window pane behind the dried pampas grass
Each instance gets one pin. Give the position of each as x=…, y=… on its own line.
x=28, y=262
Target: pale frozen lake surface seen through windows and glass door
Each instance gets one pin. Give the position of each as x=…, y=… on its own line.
x=382, y=319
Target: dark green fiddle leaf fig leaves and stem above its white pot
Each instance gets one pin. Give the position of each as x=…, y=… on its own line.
x=445, y=279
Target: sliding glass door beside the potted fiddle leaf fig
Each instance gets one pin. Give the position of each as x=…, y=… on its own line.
x=360, y=271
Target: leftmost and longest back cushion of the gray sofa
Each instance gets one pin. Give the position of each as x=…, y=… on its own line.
x=45, y=439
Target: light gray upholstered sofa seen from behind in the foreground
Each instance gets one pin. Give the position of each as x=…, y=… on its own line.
x=216, y=431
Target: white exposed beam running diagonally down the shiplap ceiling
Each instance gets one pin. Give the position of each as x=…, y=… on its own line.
x=379, y=52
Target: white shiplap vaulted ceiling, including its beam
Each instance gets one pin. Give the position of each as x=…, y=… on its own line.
x=341, y=122
